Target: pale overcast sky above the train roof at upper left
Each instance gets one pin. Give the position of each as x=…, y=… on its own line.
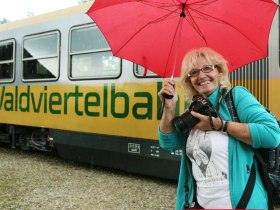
x=18, y=9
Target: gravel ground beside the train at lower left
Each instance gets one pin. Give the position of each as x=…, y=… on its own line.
x=32, y=180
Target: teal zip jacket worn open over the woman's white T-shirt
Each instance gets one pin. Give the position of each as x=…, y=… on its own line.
x=265, y=134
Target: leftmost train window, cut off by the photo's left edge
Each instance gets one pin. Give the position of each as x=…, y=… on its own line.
x=7, y=62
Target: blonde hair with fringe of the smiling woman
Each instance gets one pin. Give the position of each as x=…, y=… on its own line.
x=190, y=61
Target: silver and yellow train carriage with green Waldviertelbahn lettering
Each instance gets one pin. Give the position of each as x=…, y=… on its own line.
x=61, y=88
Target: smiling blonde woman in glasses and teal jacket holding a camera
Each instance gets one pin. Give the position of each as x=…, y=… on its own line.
x=219, y=156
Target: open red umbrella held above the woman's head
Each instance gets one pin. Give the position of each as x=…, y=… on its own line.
x=157, y=33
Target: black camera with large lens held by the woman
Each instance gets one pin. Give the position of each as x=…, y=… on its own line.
x=199, y=104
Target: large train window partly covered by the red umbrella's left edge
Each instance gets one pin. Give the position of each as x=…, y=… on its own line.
x=90, y=55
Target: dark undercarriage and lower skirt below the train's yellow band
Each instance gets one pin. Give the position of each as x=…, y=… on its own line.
x=139, y=156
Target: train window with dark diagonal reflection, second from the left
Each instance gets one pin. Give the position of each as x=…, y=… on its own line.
x=41, y=57
